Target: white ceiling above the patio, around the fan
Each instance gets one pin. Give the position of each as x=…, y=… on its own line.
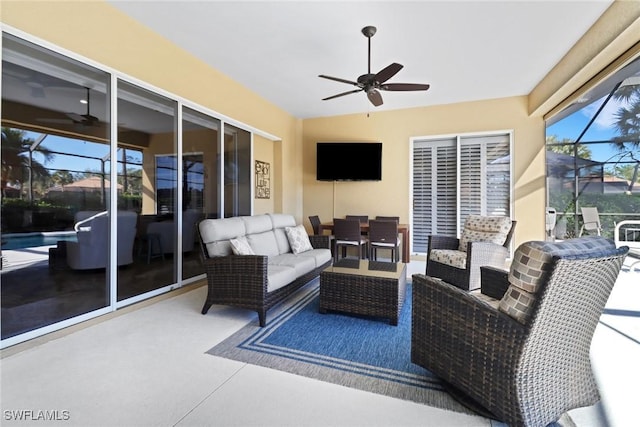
x=466, y=51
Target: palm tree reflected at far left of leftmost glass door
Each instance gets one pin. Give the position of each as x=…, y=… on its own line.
x=15, y=159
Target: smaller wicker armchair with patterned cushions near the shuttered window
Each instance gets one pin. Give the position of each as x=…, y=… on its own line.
x=458, y=261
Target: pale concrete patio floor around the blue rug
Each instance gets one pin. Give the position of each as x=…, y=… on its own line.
x=146, y=366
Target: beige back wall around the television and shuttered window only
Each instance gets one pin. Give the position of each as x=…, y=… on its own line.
x=391, y=196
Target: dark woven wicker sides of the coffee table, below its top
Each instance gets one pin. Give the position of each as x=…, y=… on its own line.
x=363, y=295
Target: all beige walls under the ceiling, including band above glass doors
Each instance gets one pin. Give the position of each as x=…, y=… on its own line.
x=101, y=33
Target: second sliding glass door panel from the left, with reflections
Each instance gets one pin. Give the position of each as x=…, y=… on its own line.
x=147, y=143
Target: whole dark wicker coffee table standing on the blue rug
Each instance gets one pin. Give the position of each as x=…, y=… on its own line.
x=369, y=288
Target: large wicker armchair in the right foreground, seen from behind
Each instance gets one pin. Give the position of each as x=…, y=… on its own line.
x=527, y=364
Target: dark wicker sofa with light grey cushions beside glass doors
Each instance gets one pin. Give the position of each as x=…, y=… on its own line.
x=255, y=262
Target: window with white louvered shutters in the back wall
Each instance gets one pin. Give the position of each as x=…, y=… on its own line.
x=457, y=176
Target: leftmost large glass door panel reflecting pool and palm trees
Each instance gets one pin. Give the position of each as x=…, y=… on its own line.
x=55, y=189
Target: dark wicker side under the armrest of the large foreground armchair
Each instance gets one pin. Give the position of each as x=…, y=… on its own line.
x=461, y=338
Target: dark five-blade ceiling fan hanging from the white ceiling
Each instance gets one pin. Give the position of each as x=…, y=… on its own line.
x=373, y=83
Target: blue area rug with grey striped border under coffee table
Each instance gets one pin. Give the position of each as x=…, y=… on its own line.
x=358, y=352
